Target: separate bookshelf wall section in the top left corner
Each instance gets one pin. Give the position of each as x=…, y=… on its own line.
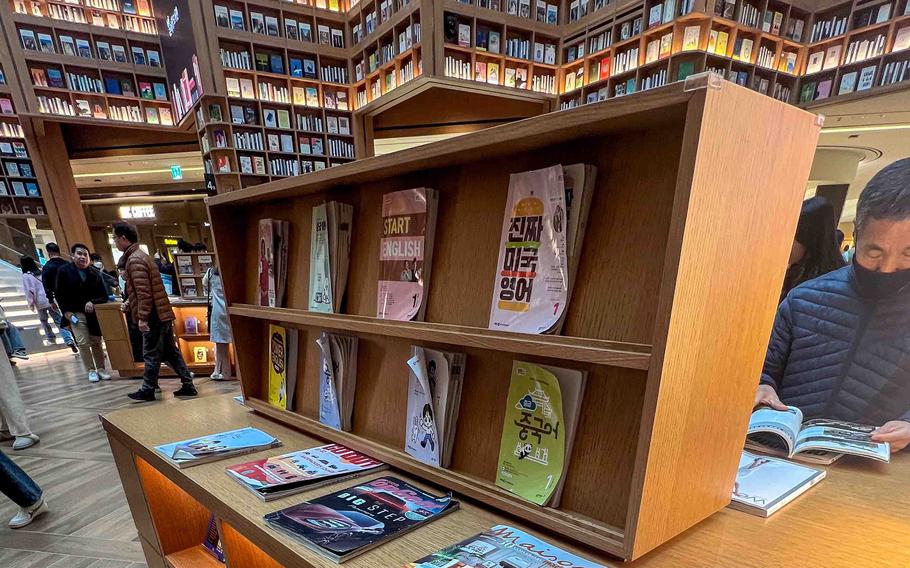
x=95, y=60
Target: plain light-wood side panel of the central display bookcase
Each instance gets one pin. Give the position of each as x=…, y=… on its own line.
x=717, y=303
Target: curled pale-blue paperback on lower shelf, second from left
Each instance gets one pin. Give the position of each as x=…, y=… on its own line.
x=337, y=379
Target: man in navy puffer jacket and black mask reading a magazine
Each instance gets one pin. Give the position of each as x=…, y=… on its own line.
x=840, y=347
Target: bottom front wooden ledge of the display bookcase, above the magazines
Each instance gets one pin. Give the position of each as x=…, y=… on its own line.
x=585, y=530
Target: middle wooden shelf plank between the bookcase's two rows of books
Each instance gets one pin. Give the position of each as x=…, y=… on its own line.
x=618, y=354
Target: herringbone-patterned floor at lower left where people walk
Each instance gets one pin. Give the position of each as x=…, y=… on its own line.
x=89, y=525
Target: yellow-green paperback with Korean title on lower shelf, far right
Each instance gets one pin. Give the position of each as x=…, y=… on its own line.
x=541, y=417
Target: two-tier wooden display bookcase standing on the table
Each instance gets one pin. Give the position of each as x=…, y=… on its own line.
x=670, y=314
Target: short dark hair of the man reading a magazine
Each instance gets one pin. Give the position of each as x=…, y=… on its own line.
x=887, y=195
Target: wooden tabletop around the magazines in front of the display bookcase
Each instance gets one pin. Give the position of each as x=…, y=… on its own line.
x=142, y=428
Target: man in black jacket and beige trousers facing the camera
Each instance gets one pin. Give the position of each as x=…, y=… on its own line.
x=79, y=288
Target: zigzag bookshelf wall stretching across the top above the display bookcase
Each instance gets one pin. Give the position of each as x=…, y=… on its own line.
x=575, y=51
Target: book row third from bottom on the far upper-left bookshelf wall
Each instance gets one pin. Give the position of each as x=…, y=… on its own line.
x=82, y=47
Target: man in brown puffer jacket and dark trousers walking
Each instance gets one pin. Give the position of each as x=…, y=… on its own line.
x=150, y=308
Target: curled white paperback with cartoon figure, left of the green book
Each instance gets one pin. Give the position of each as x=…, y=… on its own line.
x=434, y=396
